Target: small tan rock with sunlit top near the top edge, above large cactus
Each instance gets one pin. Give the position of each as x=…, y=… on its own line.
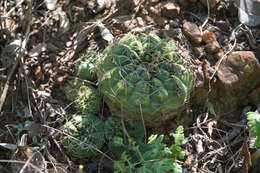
x=170, y=9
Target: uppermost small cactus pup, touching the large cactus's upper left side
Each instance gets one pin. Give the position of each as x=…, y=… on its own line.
x=86, y=68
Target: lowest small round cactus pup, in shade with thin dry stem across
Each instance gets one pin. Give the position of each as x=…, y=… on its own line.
x=86, y=136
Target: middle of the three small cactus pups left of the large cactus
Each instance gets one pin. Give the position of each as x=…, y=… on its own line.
x=87, y=98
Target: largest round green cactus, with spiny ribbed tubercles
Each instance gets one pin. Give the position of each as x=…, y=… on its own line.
x=142, y=77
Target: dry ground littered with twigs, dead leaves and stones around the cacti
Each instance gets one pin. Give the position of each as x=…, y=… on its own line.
x=39, y=48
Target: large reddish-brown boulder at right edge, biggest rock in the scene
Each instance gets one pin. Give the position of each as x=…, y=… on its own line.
x=238, y=82
